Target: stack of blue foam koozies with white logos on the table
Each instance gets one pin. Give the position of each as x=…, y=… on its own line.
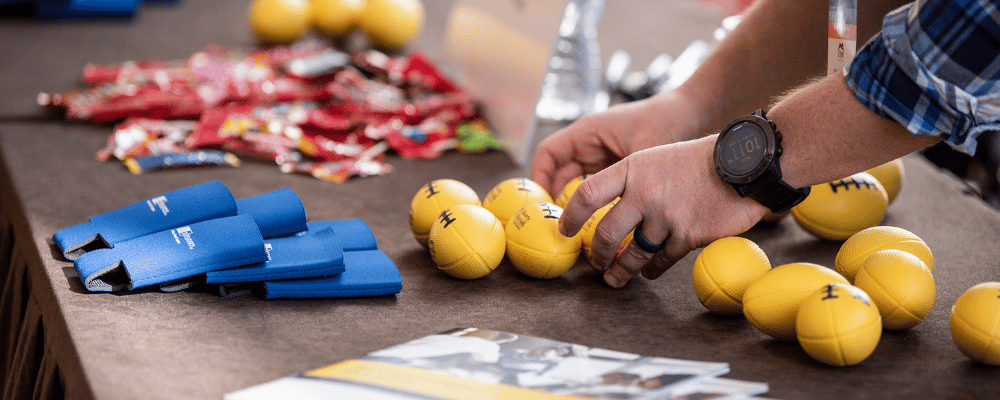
x=203, y=235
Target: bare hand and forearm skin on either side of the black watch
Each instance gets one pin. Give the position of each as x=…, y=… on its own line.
x=674, y=191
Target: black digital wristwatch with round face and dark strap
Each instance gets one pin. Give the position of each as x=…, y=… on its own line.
x=746, y=156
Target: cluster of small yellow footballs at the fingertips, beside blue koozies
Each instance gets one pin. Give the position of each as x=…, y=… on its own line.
x=468, y=237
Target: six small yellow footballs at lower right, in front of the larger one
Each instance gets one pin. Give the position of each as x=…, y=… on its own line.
x=881, y=280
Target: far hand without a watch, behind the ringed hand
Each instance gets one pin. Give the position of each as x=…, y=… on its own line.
x=596, y=141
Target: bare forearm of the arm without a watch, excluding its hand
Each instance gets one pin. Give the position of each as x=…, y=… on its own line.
x=779, y=45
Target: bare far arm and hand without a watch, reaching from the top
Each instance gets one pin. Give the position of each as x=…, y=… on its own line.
x=778, y=45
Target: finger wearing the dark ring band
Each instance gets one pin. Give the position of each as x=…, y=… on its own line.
x=636, y=255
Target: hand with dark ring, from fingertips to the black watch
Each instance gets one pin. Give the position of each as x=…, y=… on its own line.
x=674, y=192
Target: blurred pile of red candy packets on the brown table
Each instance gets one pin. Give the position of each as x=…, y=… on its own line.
x=308, y=107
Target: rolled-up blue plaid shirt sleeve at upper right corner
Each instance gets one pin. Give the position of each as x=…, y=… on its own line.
x=934, y=69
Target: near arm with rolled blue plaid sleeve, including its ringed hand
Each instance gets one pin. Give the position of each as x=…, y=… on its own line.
x=928, y=87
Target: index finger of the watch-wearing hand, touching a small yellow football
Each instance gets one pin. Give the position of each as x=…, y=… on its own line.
x=593, y=193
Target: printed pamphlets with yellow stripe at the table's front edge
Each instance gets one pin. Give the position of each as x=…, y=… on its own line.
x=471, y=363
